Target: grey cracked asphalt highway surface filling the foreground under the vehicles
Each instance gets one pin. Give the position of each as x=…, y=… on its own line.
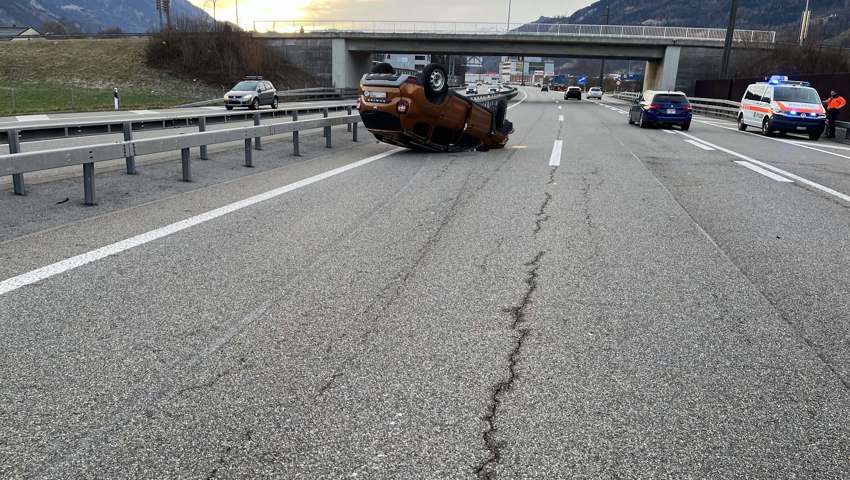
x=594, y=301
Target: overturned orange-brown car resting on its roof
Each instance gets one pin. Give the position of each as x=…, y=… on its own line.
x=420, y=112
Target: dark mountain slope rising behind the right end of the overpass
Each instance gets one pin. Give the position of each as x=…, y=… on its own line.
x=830, y=18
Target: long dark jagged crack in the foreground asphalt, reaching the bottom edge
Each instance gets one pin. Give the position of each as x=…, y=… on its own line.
x=485, y=470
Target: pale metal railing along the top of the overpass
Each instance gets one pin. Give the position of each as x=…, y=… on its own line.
x=553, y=29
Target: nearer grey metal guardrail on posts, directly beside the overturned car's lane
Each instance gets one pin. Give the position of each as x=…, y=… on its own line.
x=17, y=164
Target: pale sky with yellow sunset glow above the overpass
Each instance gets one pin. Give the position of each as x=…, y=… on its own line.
x=421, y=10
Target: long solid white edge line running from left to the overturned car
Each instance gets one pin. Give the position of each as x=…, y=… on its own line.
x=57, y=268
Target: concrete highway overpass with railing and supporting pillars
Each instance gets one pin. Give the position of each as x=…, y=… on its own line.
x=353, y=43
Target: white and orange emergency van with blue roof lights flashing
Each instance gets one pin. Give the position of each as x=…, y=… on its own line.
x=780, y=105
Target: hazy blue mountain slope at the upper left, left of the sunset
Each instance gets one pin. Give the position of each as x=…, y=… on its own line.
x=134, y=16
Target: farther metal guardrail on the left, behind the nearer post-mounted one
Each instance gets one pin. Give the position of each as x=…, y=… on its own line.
x=73, y=127
